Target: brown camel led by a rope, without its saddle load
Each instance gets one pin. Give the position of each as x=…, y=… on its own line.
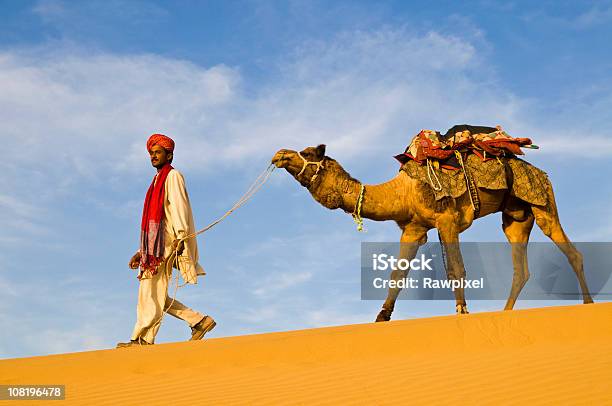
x=412, y=205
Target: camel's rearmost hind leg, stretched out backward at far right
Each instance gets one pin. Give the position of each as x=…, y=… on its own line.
x=547, y=219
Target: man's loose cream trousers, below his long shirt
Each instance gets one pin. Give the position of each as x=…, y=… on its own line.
x=153, y=300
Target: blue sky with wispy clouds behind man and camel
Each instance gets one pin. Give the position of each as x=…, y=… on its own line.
x=85, y=83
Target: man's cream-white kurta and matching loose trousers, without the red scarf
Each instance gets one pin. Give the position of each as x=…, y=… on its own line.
x=153, y=297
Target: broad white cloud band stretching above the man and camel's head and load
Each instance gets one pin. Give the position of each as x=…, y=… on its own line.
x=78, y=116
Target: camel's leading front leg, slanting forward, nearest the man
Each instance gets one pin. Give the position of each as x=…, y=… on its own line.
x=412, y=238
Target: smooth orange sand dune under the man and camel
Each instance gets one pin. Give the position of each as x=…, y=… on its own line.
x=557, y=355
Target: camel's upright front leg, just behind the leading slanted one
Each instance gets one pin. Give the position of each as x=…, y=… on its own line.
x=455, y=270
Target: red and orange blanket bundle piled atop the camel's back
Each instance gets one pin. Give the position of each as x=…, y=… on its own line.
x=485, y=142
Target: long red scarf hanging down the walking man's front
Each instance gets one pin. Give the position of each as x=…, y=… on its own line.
x=151, y=229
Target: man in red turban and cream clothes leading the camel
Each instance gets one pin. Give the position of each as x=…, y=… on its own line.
x=166, y=219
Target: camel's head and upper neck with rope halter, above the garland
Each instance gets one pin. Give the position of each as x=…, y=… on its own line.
x=321, y=175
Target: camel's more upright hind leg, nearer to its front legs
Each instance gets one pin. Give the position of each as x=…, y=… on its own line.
x=517, y=232
